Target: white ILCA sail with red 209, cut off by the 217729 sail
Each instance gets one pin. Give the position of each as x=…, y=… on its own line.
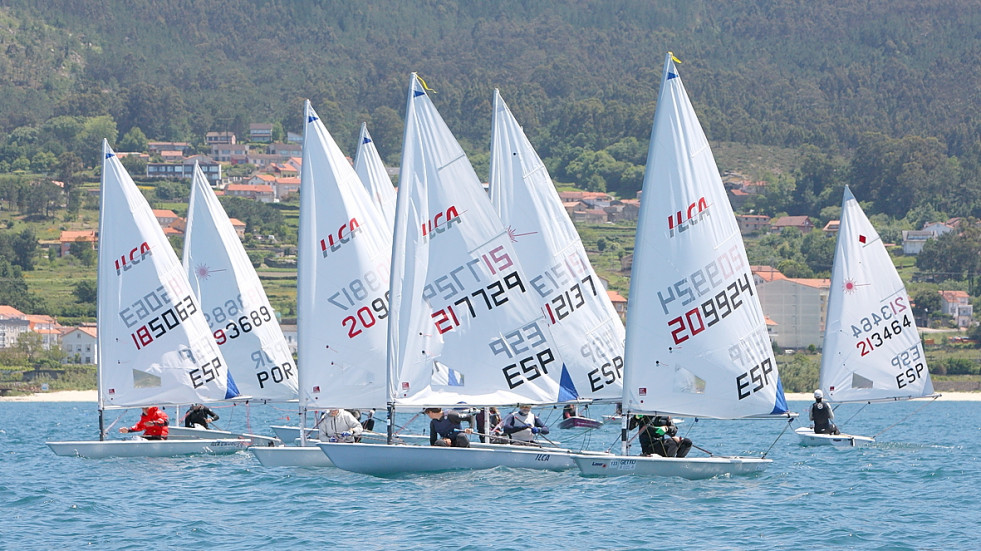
x=344, y=254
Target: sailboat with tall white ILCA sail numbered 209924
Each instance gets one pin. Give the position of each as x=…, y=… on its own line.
x=697, y=343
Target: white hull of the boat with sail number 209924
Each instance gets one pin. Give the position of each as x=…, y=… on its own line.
x=692, y=468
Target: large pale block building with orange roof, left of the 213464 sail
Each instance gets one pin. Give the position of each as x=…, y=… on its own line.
x=797, y=307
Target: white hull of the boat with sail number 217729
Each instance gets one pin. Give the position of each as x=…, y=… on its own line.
x=385, y=459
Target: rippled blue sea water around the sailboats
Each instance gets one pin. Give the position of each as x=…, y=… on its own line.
x=917, y=489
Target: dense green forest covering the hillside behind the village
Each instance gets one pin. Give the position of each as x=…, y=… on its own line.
x=807, y=97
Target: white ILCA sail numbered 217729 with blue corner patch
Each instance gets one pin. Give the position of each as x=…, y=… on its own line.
x=465, y=326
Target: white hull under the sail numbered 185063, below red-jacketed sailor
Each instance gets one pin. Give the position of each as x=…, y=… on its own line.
x=146, y=448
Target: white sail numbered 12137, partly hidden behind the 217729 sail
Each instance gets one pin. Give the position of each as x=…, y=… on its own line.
x=561, y=278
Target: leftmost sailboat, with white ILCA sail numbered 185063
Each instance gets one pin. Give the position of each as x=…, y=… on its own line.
x=154, y=345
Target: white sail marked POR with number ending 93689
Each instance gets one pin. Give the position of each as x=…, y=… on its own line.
x=233, y=301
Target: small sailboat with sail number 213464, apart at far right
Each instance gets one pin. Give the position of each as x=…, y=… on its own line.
x=872, y=351
